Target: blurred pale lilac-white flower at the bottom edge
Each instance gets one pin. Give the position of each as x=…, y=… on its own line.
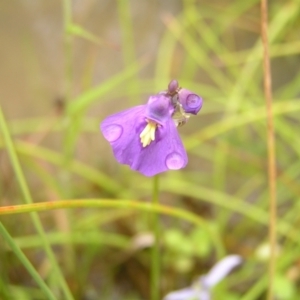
x=200, y=290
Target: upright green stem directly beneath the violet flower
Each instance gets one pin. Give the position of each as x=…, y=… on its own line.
x=155, y=249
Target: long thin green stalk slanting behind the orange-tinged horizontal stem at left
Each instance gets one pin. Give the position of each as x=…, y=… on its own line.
x=28, y=199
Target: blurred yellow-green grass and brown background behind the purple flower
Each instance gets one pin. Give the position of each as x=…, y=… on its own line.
x=66, y=65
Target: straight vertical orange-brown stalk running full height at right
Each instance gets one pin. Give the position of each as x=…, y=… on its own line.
x=271, y=148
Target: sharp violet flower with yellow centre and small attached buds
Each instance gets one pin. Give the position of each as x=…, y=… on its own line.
x=145, y=137
